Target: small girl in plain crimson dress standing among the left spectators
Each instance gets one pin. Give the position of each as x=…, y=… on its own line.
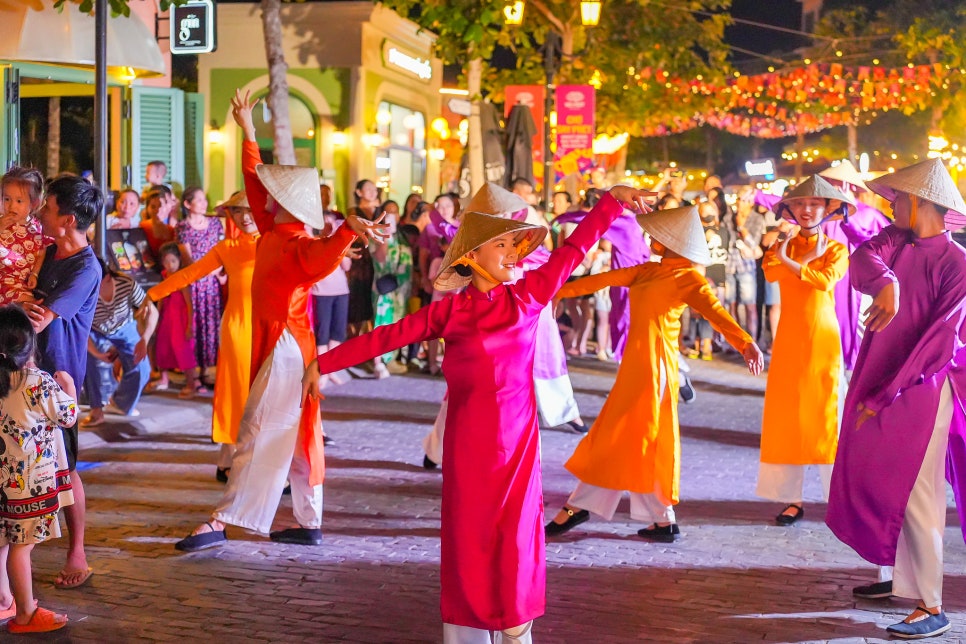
x=175, y=344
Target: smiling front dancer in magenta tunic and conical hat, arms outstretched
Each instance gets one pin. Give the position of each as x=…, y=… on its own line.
x=493, y=569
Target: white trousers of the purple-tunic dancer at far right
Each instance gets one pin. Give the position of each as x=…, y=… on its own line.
x=918, y=573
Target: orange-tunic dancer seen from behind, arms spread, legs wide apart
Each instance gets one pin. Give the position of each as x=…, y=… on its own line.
x=635, y=444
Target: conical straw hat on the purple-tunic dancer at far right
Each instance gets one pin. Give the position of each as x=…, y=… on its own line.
x=928, y=180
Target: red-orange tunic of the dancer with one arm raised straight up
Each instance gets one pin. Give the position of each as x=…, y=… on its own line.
x=288, y=262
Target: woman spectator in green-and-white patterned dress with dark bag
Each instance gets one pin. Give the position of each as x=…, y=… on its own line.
x=393, y=258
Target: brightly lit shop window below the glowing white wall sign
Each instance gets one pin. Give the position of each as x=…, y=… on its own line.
x=401, y=155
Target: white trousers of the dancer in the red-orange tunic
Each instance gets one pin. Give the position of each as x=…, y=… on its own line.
x=266, y=454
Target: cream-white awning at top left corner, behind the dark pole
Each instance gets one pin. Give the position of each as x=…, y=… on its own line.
x=66, y=37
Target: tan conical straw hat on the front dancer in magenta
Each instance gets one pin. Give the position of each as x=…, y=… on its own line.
x=475, y=230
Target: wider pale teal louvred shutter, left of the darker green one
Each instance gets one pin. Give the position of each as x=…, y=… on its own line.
x=157, y=133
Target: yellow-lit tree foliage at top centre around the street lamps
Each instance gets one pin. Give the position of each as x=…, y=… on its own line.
x=682, y=38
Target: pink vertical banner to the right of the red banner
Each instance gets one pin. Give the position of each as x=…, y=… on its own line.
x=575, y=130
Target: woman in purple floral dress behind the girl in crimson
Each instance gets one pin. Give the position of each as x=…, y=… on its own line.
x=198, y=234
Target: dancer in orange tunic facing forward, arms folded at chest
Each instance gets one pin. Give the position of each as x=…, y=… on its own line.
x=802, y=399
